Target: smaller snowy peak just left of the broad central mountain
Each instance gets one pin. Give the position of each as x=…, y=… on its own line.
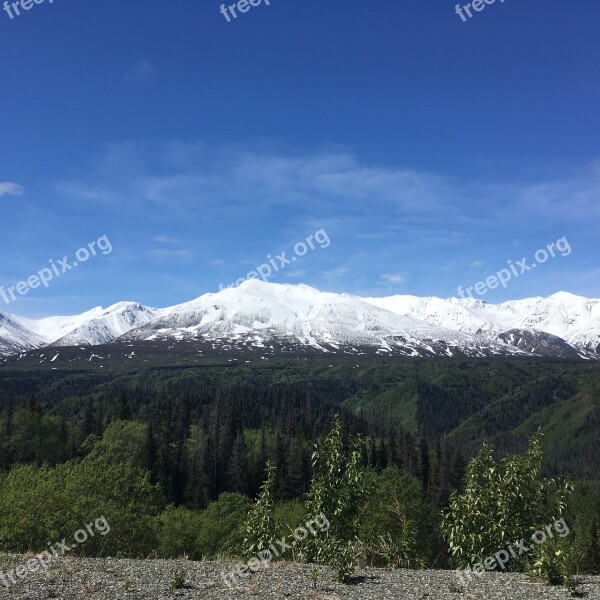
x=96, y=326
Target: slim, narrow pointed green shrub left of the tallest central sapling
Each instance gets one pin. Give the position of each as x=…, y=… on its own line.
x=262, y=529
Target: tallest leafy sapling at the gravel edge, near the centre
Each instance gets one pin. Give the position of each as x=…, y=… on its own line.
x=337, y=491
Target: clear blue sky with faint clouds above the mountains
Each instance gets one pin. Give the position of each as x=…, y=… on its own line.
x=431, y=151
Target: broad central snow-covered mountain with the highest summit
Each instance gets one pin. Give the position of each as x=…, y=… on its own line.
x=266, y=311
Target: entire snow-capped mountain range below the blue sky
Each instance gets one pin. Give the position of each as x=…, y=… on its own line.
x=263, y=315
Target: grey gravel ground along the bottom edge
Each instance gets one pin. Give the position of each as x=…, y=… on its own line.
x=112, y=579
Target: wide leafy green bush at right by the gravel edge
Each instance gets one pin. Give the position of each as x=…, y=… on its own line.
x=503, y=501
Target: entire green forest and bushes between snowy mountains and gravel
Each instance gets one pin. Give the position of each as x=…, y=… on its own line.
x=177, y=458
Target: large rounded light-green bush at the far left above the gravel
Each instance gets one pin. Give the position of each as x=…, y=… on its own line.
x=46, y=504
